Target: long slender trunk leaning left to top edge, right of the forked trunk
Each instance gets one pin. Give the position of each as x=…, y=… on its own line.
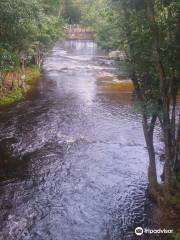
x=164, y=91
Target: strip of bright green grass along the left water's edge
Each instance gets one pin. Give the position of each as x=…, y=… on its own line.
x=18, y=93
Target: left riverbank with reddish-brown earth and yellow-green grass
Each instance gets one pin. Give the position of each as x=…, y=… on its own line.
x=17, y=85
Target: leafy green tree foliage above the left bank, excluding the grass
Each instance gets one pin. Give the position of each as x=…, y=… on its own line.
x=27, y=29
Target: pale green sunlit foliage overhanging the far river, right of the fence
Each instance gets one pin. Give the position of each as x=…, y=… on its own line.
x=105, y=21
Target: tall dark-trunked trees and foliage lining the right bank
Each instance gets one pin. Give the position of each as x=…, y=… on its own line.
x=148, y=32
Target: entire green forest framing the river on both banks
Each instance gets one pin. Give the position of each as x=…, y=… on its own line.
x=147, y=31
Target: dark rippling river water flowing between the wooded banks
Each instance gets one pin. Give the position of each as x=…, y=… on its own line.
x=78, y=168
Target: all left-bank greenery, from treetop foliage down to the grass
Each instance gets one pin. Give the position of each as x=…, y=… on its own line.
x=28, y=28
